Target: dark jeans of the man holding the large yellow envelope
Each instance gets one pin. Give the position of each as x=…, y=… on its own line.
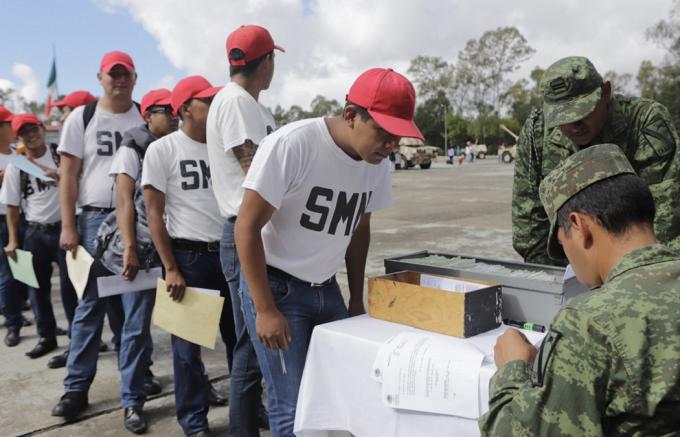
x=202, y=270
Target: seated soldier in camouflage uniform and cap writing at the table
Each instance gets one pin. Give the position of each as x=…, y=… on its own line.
x=610, y=363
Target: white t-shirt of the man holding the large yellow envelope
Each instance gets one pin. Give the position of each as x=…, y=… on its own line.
x=178, y=166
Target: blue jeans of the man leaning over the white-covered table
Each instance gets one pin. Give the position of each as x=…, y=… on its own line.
x=304, y=307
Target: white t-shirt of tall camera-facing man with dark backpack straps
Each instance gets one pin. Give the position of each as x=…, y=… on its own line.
x=96, y=146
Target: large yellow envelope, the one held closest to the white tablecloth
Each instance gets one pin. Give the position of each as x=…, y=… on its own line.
x=196, y=318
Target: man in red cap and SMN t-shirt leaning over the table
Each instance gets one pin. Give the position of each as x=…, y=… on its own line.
x=309, y=195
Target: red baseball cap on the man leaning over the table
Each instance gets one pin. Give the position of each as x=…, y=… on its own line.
x=389, y=98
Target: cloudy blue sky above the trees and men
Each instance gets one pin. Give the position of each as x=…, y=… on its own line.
x=328, y=42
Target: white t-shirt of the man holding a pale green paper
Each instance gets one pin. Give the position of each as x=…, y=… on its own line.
x=41, y=203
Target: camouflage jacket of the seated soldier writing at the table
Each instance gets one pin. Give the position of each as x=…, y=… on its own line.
x=610, y=364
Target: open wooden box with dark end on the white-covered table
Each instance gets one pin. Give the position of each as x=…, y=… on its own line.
x=399, y=297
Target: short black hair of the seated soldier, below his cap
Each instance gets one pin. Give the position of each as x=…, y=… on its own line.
x=616, y=203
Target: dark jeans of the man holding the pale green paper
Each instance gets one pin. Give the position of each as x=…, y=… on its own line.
x=44, y=245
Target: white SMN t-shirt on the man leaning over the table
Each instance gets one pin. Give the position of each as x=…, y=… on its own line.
x=319, y=193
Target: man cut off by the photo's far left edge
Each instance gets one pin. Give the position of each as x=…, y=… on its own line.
x=10, y=289
